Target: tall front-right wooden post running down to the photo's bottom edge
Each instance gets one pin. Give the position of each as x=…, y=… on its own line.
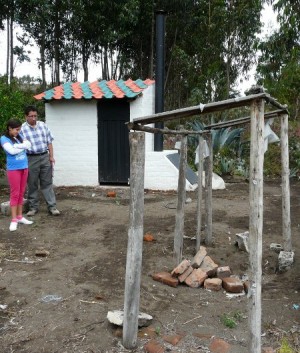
x=256, y=223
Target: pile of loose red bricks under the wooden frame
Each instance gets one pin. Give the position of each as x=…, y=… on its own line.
x=202, y=271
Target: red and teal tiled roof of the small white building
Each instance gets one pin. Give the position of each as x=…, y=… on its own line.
x=96, y=89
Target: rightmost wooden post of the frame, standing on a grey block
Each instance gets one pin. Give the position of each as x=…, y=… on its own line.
x=285, y=184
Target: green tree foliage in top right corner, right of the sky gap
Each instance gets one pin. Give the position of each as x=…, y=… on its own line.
x=279, y=63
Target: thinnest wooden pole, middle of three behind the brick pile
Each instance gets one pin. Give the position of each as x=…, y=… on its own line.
x=199, y=199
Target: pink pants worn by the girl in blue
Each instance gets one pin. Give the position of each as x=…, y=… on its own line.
x=17, y=181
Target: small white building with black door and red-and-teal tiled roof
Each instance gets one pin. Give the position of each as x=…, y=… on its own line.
x=88, y=121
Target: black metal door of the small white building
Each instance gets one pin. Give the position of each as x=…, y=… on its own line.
x=113, y=141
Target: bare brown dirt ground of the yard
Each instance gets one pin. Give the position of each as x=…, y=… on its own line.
x=59, y=303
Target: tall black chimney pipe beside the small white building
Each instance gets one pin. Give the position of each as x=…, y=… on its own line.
x=159, y=75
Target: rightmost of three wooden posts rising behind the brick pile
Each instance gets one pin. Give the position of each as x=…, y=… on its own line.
x=208, y=192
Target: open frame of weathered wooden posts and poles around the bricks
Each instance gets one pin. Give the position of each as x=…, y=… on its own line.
x=256, y=102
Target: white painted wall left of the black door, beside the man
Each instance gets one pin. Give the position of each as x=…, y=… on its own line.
x=74, y=126
